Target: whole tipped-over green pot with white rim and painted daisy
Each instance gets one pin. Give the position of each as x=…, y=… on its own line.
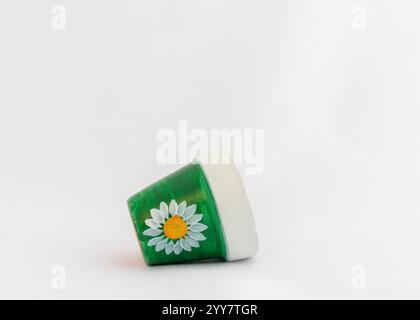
x=200, y=212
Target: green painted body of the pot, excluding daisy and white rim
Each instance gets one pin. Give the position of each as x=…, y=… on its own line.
x=187, y=184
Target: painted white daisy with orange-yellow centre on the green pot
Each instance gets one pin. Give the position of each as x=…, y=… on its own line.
x=175, y=228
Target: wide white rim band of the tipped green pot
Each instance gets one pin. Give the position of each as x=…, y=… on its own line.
x=234, y=210
